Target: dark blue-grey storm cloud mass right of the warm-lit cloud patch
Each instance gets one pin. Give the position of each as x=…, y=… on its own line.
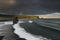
x=36, y=6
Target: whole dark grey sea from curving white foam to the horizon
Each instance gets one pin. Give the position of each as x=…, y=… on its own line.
x=49, y=28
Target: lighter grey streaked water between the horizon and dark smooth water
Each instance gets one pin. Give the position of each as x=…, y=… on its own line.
x=52, y=23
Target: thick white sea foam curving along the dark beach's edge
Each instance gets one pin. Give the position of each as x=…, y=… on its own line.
x=23, y=34
